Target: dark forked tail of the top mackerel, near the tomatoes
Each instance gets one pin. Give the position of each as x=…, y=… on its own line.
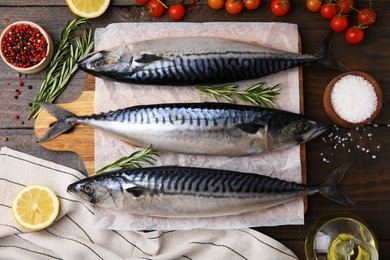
x=324, y=54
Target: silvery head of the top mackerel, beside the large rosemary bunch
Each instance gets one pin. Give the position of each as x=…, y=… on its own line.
x=106, y=62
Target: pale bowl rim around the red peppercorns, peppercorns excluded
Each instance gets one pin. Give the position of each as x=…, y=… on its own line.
x=44, y=62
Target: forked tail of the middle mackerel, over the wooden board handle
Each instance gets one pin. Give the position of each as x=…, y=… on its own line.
x=58, y=127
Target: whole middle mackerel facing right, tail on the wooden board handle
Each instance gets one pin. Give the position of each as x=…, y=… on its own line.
x=197, y=128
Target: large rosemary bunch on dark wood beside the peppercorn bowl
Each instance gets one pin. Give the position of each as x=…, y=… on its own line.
x=64, y=63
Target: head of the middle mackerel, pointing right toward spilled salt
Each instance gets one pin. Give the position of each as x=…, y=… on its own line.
x=289, y=130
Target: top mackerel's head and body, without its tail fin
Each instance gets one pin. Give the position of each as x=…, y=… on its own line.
x=190, y=61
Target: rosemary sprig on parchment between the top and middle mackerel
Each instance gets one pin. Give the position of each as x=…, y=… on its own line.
x=256, y=94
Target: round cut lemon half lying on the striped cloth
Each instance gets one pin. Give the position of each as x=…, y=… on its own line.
x=35, y=207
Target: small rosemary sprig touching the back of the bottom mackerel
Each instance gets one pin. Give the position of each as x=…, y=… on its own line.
x=134, y=160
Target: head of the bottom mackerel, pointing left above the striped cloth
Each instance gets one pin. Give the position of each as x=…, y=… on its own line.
x=95, y=191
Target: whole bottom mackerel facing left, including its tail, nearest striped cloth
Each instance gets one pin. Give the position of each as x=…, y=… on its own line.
x=185, y=192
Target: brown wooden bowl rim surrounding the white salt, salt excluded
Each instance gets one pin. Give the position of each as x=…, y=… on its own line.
x=332, y=113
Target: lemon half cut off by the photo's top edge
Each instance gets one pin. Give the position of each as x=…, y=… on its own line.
x=88, y=8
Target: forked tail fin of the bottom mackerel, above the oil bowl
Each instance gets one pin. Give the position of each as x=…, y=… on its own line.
x=330, y=190
